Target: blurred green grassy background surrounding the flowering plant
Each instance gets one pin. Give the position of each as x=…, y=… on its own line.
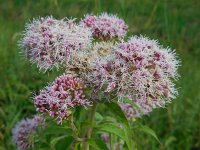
x=175, y=23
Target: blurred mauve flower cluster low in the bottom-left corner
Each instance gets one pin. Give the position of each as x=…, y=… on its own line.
x=23, y=132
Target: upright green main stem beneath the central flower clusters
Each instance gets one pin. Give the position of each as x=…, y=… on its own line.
x=89, y=131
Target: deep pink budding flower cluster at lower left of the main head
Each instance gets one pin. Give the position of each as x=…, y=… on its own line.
x=56, y=99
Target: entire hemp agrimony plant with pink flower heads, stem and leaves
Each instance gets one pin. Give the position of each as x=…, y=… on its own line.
x=107, y=84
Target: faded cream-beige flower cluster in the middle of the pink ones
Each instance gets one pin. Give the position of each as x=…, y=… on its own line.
x=82, y=63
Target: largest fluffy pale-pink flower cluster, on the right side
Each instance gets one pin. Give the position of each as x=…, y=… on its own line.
x=141, y=70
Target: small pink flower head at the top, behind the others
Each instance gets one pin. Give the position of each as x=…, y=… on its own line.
x=105, y=26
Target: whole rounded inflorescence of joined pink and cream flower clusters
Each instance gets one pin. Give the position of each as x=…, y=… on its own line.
x=94, y=54
